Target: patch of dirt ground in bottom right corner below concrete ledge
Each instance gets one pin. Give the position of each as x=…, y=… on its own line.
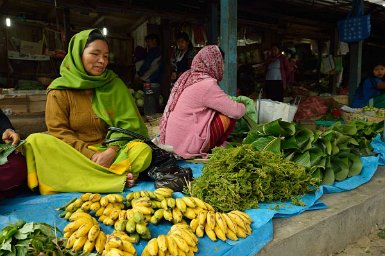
x=372, y=244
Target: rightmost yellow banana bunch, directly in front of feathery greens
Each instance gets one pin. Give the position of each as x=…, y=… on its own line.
x=215, y=225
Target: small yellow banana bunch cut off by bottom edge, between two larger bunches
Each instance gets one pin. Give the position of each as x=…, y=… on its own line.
x=118, y=244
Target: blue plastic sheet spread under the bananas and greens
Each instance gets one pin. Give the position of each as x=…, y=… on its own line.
x=38, y=208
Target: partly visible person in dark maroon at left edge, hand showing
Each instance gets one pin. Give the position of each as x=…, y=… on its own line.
x=13, y=173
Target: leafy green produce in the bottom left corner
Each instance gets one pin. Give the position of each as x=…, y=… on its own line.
x=34, y=239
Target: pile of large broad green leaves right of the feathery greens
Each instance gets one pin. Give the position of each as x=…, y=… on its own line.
x=328, y=155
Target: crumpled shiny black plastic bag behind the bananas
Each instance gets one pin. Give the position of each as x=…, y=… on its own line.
x=171, y=176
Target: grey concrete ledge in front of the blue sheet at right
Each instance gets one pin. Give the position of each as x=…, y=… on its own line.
x=350, y=216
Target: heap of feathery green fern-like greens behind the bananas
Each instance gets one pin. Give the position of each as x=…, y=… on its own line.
x=240, y=177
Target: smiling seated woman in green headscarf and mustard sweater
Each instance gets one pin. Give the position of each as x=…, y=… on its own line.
x=81, y=105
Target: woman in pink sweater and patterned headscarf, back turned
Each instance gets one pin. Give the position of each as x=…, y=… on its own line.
x=199, y=115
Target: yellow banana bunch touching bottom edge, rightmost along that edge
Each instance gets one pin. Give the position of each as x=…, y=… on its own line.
x=180, y=240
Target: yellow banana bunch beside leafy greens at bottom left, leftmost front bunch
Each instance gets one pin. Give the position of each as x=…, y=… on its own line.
x=84, y=233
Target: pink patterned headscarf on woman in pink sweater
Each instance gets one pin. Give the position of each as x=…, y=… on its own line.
x=208, y=63
